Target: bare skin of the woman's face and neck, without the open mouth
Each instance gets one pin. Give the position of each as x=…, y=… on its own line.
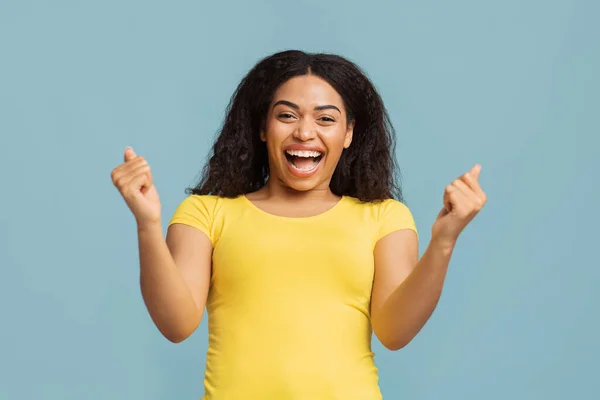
x=305, y=110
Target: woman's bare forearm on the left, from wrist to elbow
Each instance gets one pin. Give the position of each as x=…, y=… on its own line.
x=166, y=295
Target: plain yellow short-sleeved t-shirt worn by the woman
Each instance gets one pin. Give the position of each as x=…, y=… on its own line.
x=289, y=300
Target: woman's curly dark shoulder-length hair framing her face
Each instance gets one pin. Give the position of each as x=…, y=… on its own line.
x=238, y=162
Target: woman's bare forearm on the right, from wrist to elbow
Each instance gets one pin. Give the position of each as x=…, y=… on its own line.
x=411, y=304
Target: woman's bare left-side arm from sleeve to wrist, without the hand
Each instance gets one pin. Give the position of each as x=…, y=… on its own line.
x=174, y=277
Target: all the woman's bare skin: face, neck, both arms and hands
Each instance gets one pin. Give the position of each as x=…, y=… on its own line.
x=306, y=110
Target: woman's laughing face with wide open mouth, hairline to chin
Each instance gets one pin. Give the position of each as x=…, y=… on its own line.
x=306, y=130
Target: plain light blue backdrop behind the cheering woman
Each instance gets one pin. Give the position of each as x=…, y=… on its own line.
x=513, y=85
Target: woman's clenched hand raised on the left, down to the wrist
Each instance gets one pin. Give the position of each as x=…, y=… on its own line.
x=133, y=179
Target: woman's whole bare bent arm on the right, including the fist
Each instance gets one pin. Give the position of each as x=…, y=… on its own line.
x=405, y=292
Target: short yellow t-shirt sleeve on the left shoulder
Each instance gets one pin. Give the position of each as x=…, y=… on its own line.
x=198, y=212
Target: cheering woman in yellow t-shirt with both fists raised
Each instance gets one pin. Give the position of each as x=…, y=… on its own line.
x=295, y=239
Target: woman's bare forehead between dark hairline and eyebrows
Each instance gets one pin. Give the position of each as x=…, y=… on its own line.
x=308, y=90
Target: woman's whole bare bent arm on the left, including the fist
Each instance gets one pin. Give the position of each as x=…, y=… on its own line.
x=174, y=274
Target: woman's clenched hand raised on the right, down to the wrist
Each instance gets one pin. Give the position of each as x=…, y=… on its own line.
x=463, y=199
